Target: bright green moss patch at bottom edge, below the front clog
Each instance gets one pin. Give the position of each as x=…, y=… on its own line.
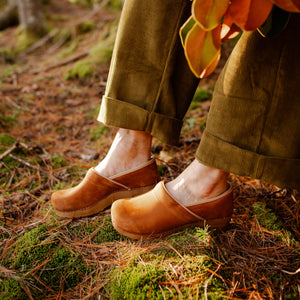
x=152, y=279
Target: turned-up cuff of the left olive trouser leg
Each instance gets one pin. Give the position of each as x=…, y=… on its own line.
x=126, y=115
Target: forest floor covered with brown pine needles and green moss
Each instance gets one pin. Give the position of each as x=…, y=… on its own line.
x=49, y=138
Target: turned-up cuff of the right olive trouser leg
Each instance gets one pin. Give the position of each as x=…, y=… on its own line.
x=220, y=154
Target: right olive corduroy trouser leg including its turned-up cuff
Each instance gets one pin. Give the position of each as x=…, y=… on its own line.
x=253, y=126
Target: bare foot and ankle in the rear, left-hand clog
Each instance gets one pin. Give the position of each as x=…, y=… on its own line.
x=128, y=150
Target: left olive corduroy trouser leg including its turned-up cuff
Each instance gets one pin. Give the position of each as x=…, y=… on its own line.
x=150, y=85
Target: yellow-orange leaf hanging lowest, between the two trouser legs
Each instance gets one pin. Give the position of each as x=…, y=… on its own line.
x=202, y=50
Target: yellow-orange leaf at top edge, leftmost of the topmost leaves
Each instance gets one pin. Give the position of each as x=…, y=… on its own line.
x=208, y=13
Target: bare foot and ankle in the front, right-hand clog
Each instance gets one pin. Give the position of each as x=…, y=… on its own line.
x=197, y=183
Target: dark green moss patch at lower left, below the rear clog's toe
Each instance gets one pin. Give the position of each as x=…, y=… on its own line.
x=63, y=270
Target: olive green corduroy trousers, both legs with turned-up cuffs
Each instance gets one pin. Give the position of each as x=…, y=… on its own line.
x=253, y=127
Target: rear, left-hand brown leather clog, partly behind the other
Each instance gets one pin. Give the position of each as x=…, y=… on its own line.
x=95, y=188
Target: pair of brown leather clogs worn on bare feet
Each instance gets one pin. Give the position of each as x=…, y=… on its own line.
x=141, y=208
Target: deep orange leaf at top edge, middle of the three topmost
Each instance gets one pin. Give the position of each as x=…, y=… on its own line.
x=249, y=14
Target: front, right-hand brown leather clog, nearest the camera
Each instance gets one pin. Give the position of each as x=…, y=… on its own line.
x=156, y=213
